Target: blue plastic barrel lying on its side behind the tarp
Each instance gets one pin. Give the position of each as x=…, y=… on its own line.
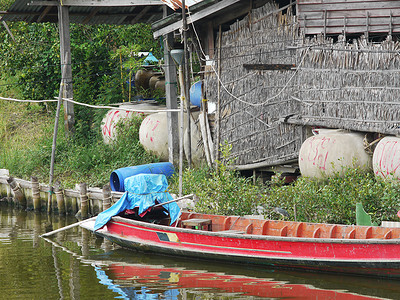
x=118, y=176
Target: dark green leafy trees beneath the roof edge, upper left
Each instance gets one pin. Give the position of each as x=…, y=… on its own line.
x=34, y=60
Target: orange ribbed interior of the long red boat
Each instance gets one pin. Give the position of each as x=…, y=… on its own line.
x=254, y=226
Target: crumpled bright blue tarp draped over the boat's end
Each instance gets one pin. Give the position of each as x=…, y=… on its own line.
x=142, y=191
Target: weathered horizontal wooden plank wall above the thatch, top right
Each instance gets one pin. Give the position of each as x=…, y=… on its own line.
x=349, y=16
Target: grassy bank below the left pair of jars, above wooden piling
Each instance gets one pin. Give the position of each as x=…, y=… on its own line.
x=76, y=162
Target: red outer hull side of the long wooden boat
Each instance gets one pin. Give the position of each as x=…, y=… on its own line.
x=353, y=256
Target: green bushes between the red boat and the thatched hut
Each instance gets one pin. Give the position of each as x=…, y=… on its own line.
x=331, y=200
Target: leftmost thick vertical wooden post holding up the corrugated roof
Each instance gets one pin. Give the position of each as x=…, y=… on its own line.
x=65, y=47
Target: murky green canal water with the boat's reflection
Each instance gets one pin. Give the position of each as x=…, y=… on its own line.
x=75, y=264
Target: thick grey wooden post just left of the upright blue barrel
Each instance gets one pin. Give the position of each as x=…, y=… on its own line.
x=171, y=97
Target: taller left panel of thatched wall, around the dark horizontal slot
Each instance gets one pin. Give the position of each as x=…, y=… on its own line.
x=250, y=121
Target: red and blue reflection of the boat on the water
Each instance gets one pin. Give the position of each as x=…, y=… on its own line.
x=180, y=280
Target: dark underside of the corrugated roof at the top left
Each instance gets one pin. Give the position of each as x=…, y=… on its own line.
x=21, y=11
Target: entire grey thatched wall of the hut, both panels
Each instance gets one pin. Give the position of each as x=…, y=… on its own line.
x=333, y=83
